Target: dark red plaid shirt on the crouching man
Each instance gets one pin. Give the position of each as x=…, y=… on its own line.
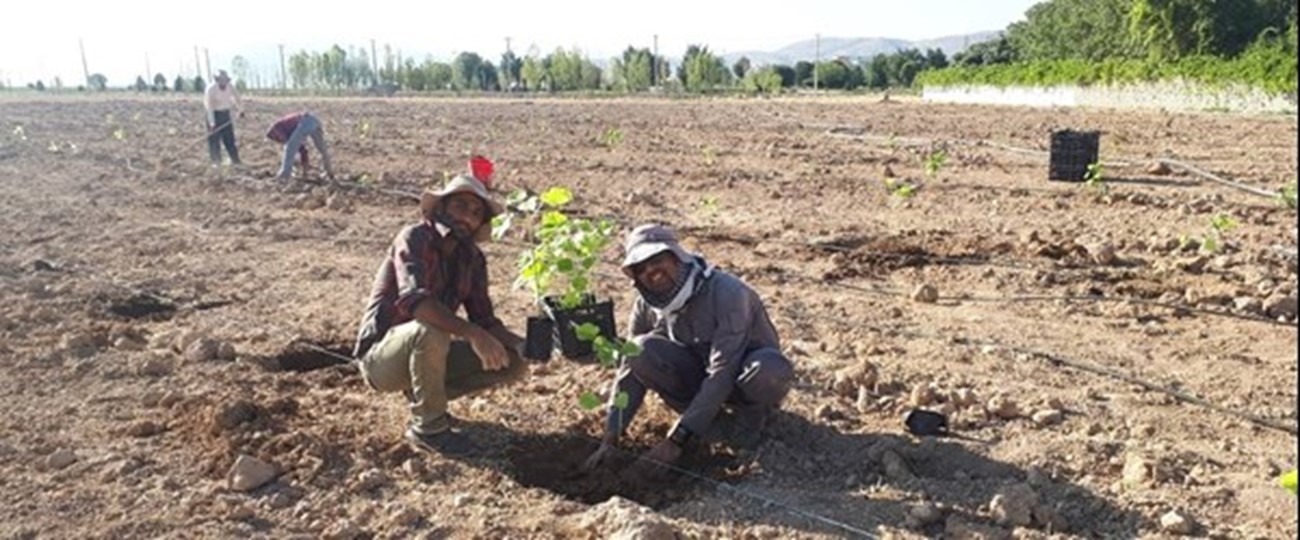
x=415, y=270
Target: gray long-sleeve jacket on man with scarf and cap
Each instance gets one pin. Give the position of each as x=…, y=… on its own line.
x=725, y=321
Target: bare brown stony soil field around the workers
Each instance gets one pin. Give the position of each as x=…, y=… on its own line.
x=153, y=310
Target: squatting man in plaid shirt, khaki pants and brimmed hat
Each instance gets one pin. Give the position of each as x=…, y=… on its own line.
x=411, y=339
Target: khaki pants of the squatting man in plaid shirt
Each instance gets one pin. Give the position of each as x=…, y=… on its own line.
x=435, y=369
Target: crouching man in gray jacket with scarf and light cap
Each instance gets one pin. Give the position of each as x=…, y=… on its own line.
x=708, y=348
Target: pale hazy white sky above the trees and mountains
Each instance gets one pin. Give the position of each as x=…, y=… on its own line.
x=38, y=38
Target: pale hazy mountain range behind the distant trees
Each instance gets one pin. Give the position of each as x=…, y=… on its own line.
x=857, y=49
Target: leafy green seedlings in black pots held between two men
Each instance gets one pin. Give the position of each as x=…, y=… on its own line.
x=558, y=271
